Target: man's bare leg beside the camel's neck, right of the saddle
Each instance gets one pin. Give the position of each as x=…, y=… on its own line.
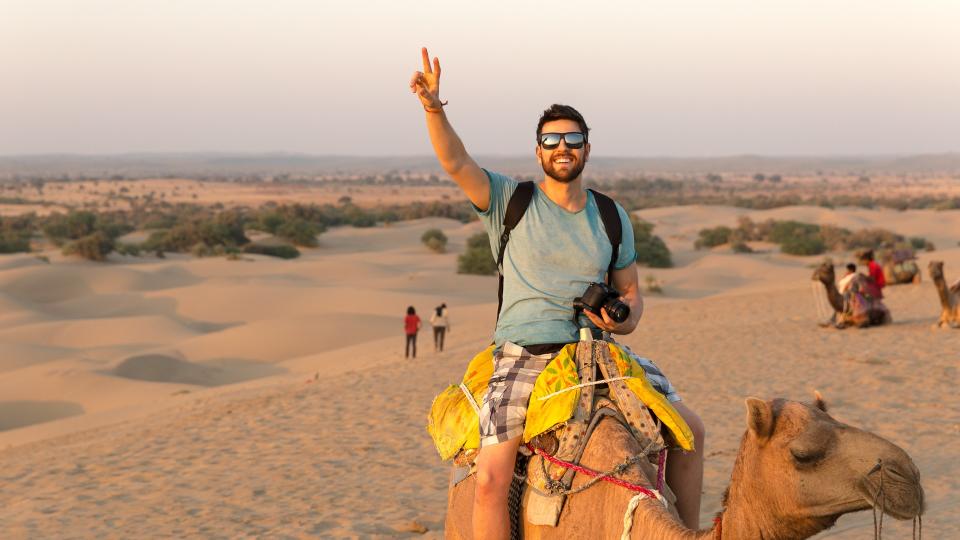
x=685, y=471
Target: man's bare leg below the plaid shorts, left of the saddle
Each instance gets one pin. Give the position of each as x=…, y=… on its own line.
x=491, y=520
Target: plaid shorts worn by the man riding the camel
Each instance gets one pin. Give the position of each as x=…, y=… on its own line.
x=515, y=370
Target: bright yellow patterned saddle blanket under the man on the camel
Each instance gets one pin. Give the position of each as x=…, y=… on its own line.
x=455, y=425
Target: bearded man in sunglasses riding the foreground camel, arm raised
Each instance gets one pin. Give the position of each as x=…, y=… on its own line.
x=555, y=252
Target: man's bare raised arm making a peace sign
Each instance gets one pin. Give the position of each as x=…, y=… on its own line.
x=447, y=145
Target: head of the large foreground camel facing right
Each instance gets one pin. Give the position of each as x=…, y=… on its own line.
x=809, y=469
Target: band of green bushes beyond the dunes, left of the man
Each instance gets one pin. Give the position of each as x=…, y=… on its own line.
x=206, y=230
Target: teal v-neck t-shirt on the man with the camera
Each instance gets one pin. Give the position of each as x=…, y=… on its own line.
x=552, y=256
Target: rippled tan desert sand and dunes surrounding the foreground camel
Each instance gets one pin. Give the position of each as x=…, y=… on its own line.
x=187, y=397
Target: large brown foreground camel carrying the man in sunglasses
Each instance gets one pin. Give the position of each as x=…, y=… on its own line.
x=797, y=471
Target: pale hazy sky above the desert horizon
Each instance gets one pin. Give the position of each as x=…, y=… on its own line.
x=683, y=78
